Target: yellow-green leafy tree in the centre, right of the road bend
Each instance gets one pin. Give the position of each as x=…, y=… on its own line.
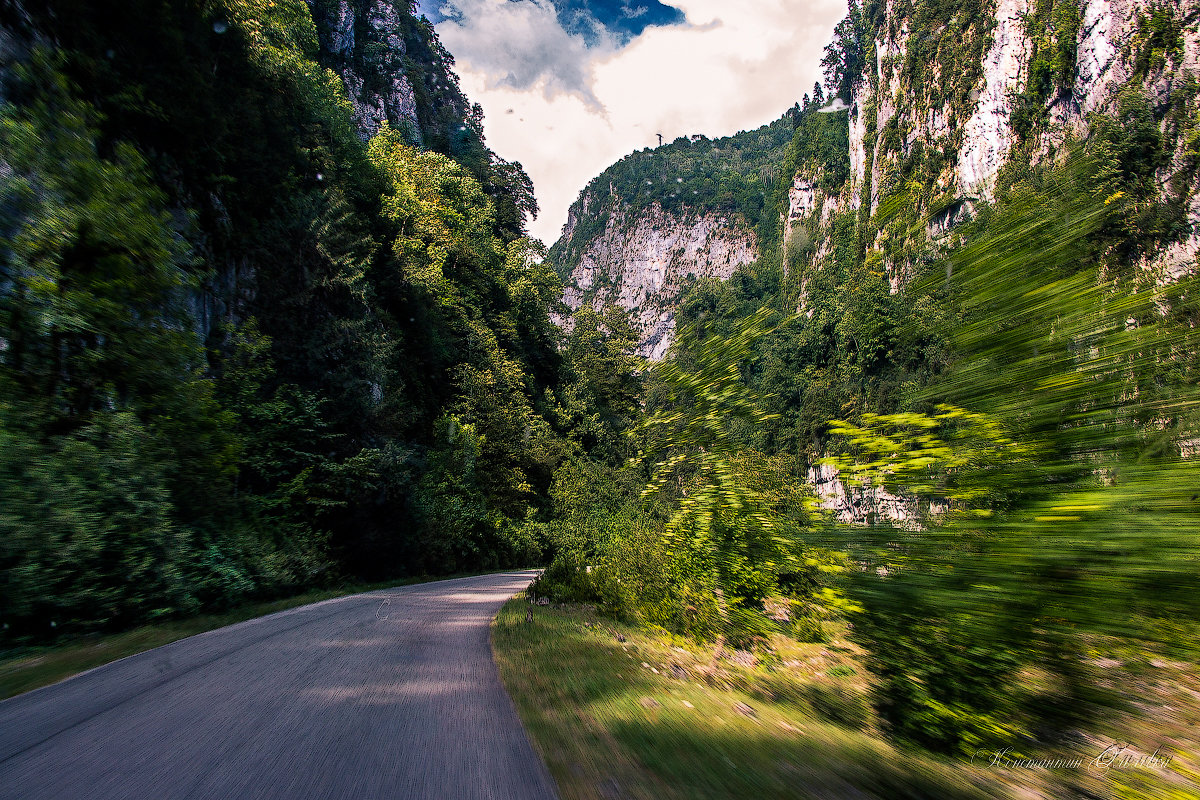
x=733, y=539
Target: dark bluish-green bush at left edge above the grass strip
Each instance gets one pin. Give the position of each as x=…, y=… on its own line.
x=87, y=530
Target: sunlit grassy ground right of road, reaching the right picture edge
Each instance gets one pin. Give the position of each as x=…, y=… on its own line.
x=622, y=712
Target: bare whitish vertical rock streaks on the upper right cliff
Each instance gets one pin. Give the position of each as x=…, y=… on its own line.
x=1107, y=46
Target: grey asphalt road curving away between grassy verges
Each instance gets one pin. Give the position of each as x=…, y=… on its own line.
x=353, y=697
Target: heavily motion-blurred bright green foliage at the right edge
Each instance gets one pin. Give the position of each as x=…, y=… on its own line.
x=1064, y=491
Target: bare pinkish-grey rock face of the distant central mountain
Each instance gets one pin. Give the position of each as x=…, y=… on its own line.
x=641, y=261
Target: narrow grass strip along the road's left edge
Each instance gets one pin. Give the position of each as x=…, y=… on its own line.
x=28, y=669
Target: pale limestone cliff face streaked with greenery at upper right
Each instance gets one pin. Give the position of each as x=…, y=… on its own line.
x=963, y=117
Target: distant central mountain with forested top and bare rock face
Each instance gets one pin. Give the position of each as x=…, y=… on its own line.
x=693, y=209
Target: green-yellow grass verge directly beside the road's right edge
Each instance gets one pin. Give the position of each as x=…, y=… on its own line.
x=619, y=712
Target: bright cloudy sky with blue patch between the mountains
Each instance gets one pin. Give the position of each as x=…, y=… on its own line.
x=569, y=87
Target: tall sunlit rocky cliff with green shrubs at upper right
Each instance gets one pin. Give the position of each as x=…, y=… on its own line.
x=947, y=104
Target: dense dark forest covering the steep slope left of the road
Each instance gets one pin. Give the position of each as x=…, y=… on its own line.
x=248, y=346
